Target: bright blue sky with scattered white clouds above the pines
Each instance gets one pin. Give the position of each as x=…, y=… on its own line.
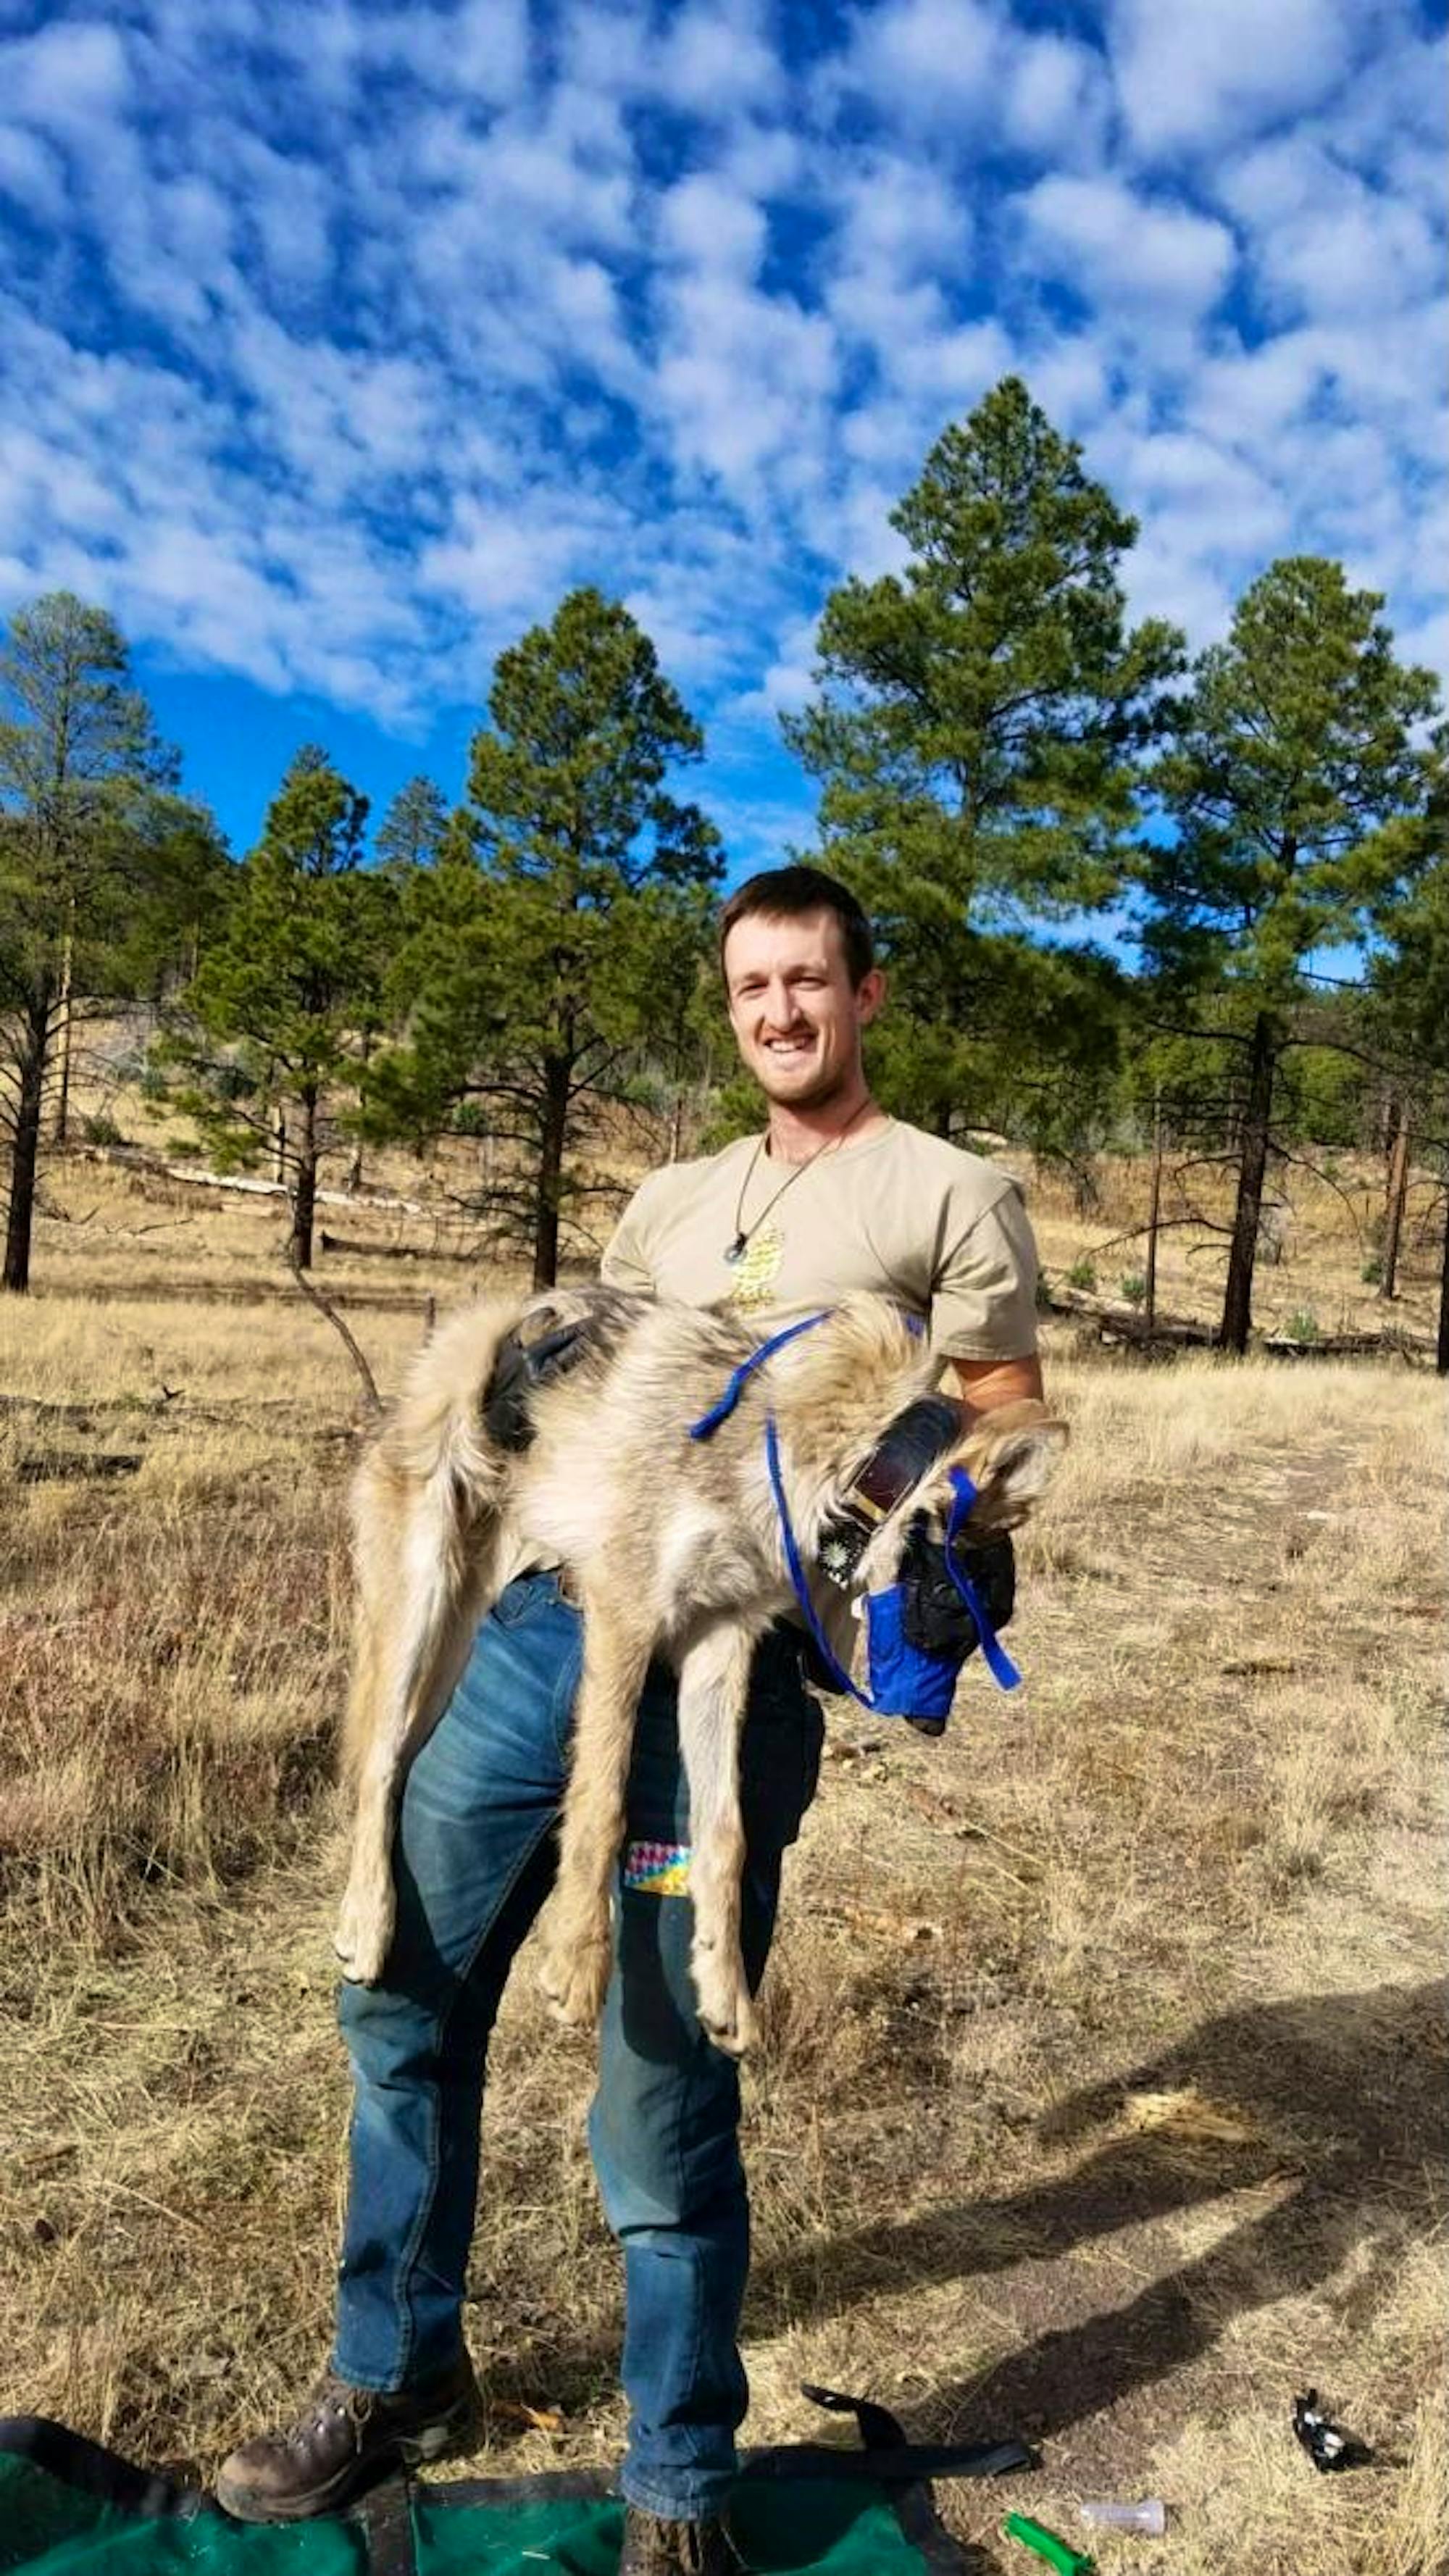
x=341, y=339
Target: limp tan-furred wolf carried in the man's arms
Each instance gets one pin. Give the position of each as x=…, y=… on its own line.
x=670, y=1544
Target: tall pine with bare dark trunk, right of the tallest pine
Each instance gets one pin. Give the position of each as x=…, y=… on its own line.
x=1296, y=787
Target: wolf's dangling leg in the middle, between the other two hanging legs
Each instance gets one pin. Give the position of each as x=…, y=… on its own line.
x=580, y=1941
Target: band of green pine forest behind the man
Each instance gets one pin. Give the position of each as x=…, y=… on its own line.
x=1134, y=903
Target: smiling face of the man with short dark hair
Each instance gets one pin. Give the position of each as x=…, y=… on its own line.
x=794, y=1011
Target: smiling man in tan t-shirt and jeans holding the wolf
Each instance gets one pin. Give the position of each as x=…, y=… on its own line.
x=833, y=1197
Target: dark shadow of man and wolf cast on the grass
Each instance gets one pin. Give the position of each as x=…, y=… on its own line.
x=1347, y=2103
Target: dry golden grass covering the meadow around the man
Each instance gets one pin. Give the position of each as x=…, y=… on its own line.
x=1103, y=2090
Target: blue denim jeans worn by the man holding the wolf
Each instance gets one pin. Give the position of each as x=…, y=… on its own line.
x=475, y=1861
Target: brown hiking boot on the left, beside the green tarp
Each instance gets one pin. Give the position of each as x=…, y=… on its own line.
x=346, y=2441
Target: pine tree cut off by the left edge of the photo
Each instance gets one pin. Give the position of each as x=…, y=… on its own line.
x=102, y=864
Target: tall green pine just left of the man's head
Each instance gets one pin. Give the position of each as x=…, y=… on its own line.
x=565, y=913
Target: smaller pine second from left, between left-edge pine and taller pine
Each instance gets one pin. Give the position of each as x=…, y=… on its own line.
x=269, y=1037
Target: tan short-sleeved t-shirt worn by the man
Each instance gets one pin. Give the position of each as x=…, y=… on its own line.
x=897, y=1212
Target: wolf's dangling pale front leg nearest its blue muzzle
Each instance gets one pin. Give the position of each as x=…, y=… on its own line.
x=714, y=1683
